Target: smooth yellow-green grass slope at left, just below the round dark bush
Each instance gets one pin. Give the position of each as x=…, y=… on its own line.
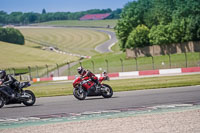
x=17, y=56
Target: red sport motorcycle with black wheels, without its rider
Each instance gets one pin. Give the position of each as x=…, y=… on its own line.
x=84, y=87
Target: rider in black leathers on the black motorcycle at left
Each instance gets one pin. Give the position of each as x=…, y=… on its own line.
x=9, y=82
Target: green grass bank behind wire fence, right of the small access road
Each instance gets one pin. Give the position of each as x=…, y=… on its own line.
x=138, y=64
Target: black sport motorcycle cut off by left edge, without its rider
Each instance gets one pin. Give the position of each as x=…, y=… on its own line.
x=18, y=96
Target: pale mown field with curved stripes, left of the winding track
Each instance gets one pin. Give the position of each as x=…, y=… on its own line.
x=72, y=40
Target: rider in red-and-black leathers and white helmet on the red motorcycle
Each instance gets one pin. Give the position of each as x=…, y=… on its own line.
x=87, y=73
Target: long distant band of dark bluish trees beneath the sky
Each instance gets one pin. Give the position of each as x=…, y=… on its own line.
x=31, y=17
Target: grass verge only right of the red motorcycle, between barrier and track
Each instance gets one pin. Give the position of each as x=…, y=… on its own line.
x=156, y=82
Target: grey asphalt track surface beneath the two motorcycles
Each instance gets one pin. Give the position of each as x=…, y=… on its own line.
x=121, y=100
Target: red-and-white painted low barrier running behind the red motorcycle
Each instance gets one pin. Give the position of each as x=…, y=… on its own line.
x=132, y=73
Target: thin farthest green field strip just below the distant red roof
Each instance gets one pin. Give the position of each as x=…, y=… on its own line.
x=88, y=23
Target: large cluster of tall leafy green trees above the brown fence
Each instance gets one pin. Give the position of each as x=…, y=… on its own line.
x=157, y=22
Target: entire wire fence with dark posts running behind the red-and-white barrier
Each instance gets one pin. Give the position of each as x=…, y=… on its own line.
x=110, y=66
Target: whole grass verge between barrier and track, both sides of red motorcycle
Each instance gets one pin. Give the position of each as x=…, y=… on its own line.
x=57, y=89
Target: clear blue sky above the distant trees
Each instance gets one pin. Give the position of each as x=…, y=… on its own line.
x=59, y=5
